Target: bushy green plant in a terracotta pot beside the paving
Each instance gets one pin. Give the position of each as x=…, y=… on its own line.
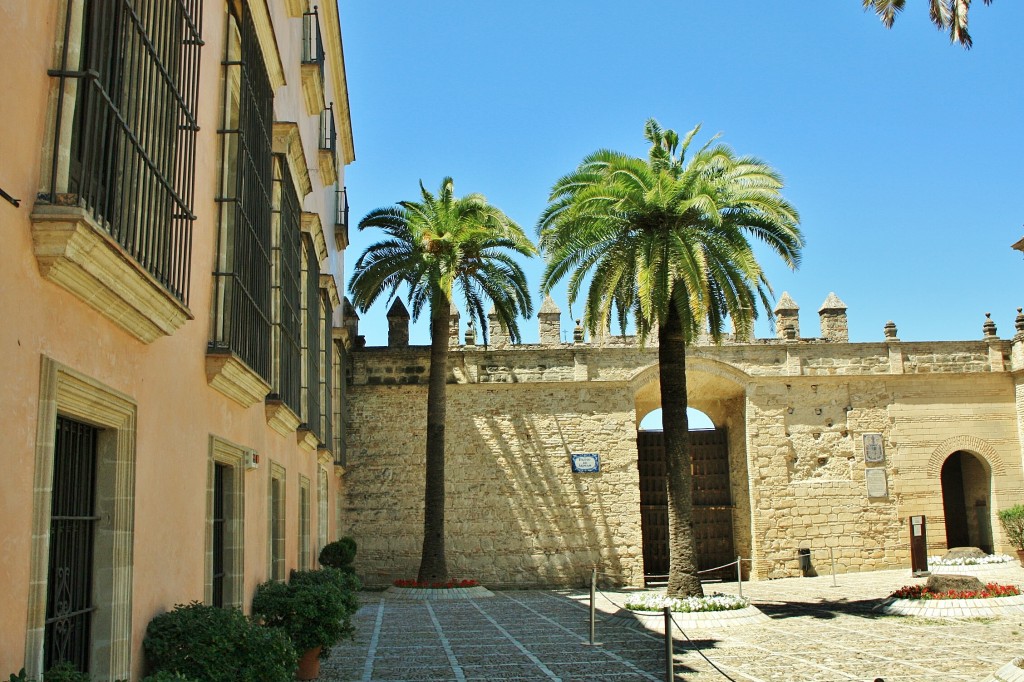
x=315, y=608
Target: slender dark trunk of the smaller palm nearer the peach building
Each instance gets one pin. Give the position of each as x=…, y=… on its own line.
x=434, y=568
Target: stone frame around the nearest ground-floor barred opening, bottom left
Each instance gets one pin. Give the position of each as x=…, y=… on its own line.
x=70, y=394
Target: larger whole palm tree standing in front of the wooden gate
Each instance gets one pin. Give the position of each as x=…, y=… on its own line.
x=664, y=241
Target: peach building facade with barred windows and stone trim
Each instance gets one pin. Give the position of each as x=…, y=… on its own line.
x=174, y=197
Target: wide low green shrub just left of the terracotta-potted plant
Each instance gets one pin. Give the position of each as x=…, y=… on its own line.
x=211, y=644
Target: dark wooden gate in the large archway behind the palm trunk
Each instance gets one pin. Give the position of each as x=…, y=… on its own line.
x=712, y=502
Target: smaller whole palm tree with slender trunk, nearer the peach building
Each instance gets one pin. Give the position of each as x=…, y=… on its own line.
x=437, y=246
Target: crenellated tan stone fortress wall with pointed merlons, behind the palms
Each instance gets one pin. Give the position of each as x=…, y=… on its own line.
x=797, y=412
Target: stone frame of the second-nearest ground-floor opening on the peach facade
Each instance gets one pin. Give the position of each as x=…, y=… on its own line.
x=233, y=456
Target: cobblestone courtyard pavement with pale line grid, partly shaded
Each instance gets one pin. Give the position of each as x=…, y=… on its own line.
x=818, y=633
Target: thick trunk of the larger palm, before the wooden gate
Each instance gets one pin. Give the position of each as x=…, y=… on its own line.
x=684, y=578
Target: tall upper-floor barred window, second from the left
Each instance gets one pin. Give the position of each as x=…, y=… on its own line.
x=242, y=305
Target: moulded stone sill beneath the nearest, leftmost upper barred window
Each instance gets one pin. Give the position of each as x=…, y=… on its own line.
x=75, y=253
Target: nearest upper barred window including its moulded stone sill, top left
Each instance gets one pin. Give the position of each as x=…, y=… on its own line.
x=121, y=169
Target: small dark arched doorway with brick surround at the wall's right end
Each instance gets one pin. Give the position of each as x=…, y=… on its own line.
x=966, y=495
